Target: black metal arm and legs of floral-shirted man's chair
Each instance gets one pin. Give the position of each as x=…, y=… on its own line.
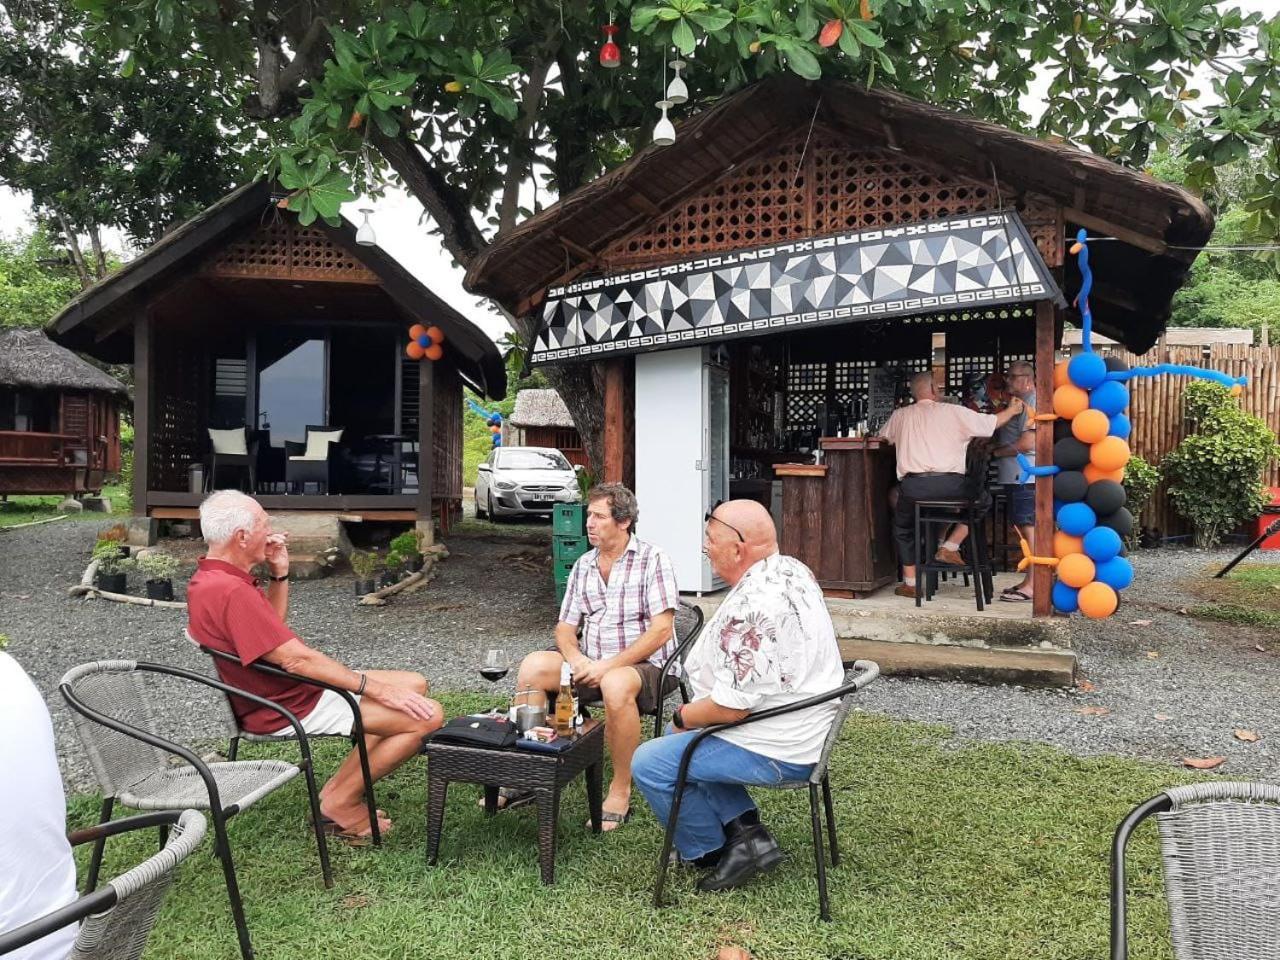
x=868, y=674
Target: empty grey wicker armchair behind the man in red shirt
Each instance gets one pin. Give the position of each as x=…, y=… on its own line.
x=117, y=726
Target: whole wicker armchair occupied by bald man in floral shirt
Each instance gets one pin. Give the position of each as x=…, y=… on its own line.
x=862, y=674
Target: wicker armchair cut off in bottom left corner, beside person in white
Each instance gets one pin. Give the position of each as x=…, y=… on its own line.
x=120, y=917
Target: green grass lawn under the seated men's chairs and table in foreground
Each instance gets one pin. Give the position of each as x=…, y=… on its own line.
x=950, y=852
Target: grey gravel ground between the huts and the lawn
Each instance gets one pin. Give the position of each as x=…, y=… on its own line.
x=1172, y=688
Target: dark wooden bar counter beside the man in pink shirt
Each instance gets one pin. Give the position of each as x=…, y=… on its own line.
x=836, y=518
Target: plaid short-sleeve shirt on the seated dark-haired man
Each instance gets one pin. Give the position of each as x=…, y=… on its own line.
x=615, y=615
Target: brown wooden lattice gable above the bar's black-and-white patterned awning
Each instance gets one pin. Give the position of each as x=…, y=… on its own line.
x=830, y=188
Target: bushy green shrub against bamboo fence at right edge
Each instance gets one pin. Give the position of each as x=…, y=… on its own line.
x=1215, y=476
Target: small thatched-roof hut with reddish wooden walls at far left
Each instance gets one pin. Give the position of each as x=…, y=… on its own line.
x=60, y=419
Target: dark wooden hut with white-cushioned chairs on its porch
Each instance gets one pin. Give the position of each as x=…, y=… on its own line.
x=273, y=355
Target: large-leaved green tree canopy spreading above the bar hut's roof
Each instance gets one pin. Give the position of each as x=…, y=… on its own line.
x=465, y=103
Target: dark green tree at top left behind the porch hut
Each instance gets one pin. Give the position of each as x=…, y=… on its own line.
x=98, y=145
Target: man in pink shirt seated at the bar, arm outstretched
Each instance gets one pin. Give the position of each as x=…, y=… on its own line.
x=931, y=441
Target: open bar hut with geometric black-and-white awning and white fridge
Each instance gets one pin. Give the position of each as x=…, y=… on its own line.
x=784, y=267
